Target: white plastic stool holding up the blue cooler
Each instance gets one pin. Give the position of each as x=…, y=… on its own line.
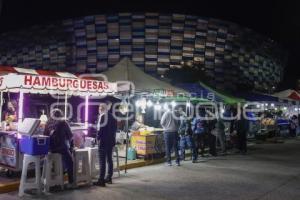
x=24, y=184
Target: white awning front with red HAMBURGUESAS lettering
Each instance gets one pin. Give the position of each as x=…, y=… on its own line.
x=56, y=83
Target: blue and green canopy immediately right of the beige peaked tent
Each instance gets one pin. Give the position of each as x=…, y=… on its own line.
x=202, y=90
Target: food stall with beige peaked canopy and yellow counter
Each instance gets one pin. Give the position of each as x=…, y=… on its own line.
x=145, y=86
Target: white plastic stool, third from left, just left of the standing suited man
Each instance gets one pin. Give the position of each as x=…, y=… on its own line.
x=82, y=167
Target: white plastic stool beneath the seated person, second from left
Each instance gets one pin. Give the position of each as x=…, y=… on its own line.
x=53, y=172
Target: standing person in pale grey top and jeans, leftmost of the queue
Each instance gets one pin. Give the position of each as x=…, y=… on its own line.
x=170, y=125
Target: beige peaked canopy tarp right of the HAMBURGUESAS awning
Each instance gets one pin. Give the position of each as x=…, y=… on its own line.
x=125, y=70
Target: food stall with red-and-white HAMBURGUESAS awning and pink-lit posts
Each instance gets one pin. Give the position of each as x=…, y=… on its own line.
x=57, y=84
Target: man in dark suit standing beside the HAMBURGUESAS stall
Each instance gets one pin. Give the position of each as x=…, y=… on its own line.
x=106, y=136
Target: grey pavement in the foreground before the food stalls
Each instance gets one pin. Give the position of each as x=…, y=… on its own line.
x=268, y=172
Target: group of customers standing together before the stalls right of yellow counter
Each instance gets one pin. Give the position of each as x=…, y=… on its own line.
x=198, y=132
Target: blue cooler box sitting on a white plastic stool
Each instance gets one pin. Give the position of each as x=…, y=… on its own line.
x=34, y=145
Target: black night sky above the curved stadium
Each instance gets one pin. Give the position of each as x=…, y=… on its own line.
x=279, y=20
